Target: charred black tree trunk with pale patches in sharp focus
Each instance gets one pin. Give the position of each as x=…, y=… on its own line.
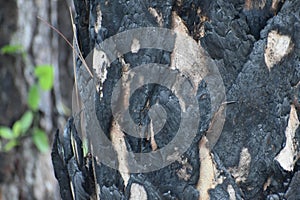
x=249, y=152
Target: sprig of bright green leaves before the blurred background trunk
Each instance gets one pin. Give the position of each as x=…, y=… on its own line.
x=26, y=125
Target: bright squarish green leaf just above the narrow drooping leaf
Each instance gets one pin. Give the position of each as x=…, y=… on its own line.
x=45, y=75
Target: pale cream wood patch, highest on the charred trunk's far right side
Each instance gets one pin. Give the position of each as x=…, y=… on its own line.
x=278, y=46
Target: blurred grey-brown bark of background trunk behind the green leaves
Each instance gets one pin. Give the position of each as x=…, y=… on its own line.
x=25, y=173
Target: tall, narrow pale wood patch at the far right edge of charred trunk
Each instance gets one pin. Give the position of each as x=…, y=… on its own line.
x=286, y=157
